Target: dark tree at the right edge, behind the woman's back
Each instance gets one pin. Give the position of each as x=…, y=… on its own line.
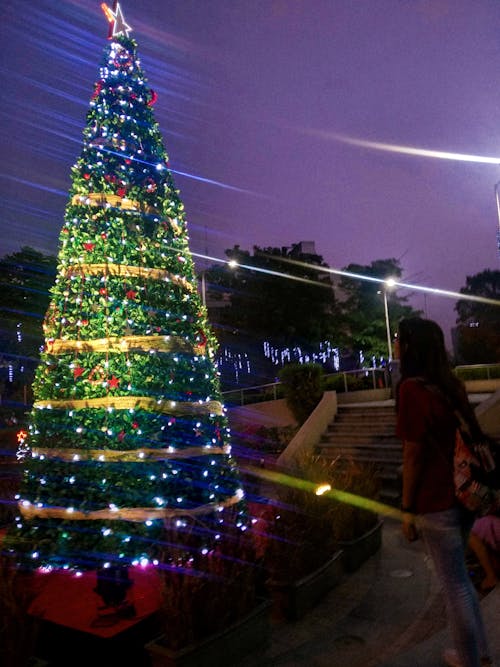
x=478, y=331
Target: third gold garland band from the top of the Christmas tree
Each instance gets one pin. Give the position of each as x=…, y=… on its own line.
x=124, y=344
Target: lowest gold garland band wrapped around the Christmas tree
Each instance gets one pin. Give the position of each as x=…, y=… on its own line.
x=125, y=514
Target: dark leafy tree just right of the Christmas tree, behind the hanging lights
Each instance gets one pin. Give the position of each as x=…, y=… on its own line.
x=276, y=294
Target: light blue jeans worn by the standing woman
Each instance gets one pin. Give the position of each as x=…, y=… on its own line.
x=445, y=535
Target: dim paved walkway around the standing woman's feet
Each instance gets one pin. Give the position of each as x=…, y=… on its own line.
x=387, y=614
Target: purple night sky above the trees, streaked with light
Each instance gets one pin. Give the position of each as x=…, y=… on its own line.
x=255, y=102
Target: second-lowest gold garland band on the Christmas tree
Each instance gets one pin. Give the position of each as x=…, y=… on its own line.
x=135, y=455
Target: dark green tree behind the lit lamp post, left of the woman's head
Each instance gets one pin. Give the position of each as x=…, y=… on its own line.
x=362, y=307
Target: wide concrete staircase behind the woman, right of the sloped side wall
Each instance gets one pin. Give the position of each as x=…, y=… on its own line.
x=366, y=433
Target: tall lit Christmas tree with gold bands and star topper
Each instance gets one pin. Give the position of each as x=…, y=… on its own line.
x=127, y=431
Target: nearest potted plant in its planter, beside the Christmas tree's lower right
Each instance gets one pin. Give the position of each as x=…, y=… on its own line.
x=210, y=611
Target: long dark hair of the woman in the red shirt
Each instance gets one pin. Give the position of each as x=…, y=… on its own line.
x=423, y=354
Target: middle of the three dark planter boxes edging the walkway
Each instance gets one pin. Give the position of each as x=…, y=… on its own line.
x=292, y=600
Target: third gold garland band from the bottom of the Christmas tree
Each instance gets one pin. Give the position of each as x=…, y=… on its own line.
x=162, y=405
